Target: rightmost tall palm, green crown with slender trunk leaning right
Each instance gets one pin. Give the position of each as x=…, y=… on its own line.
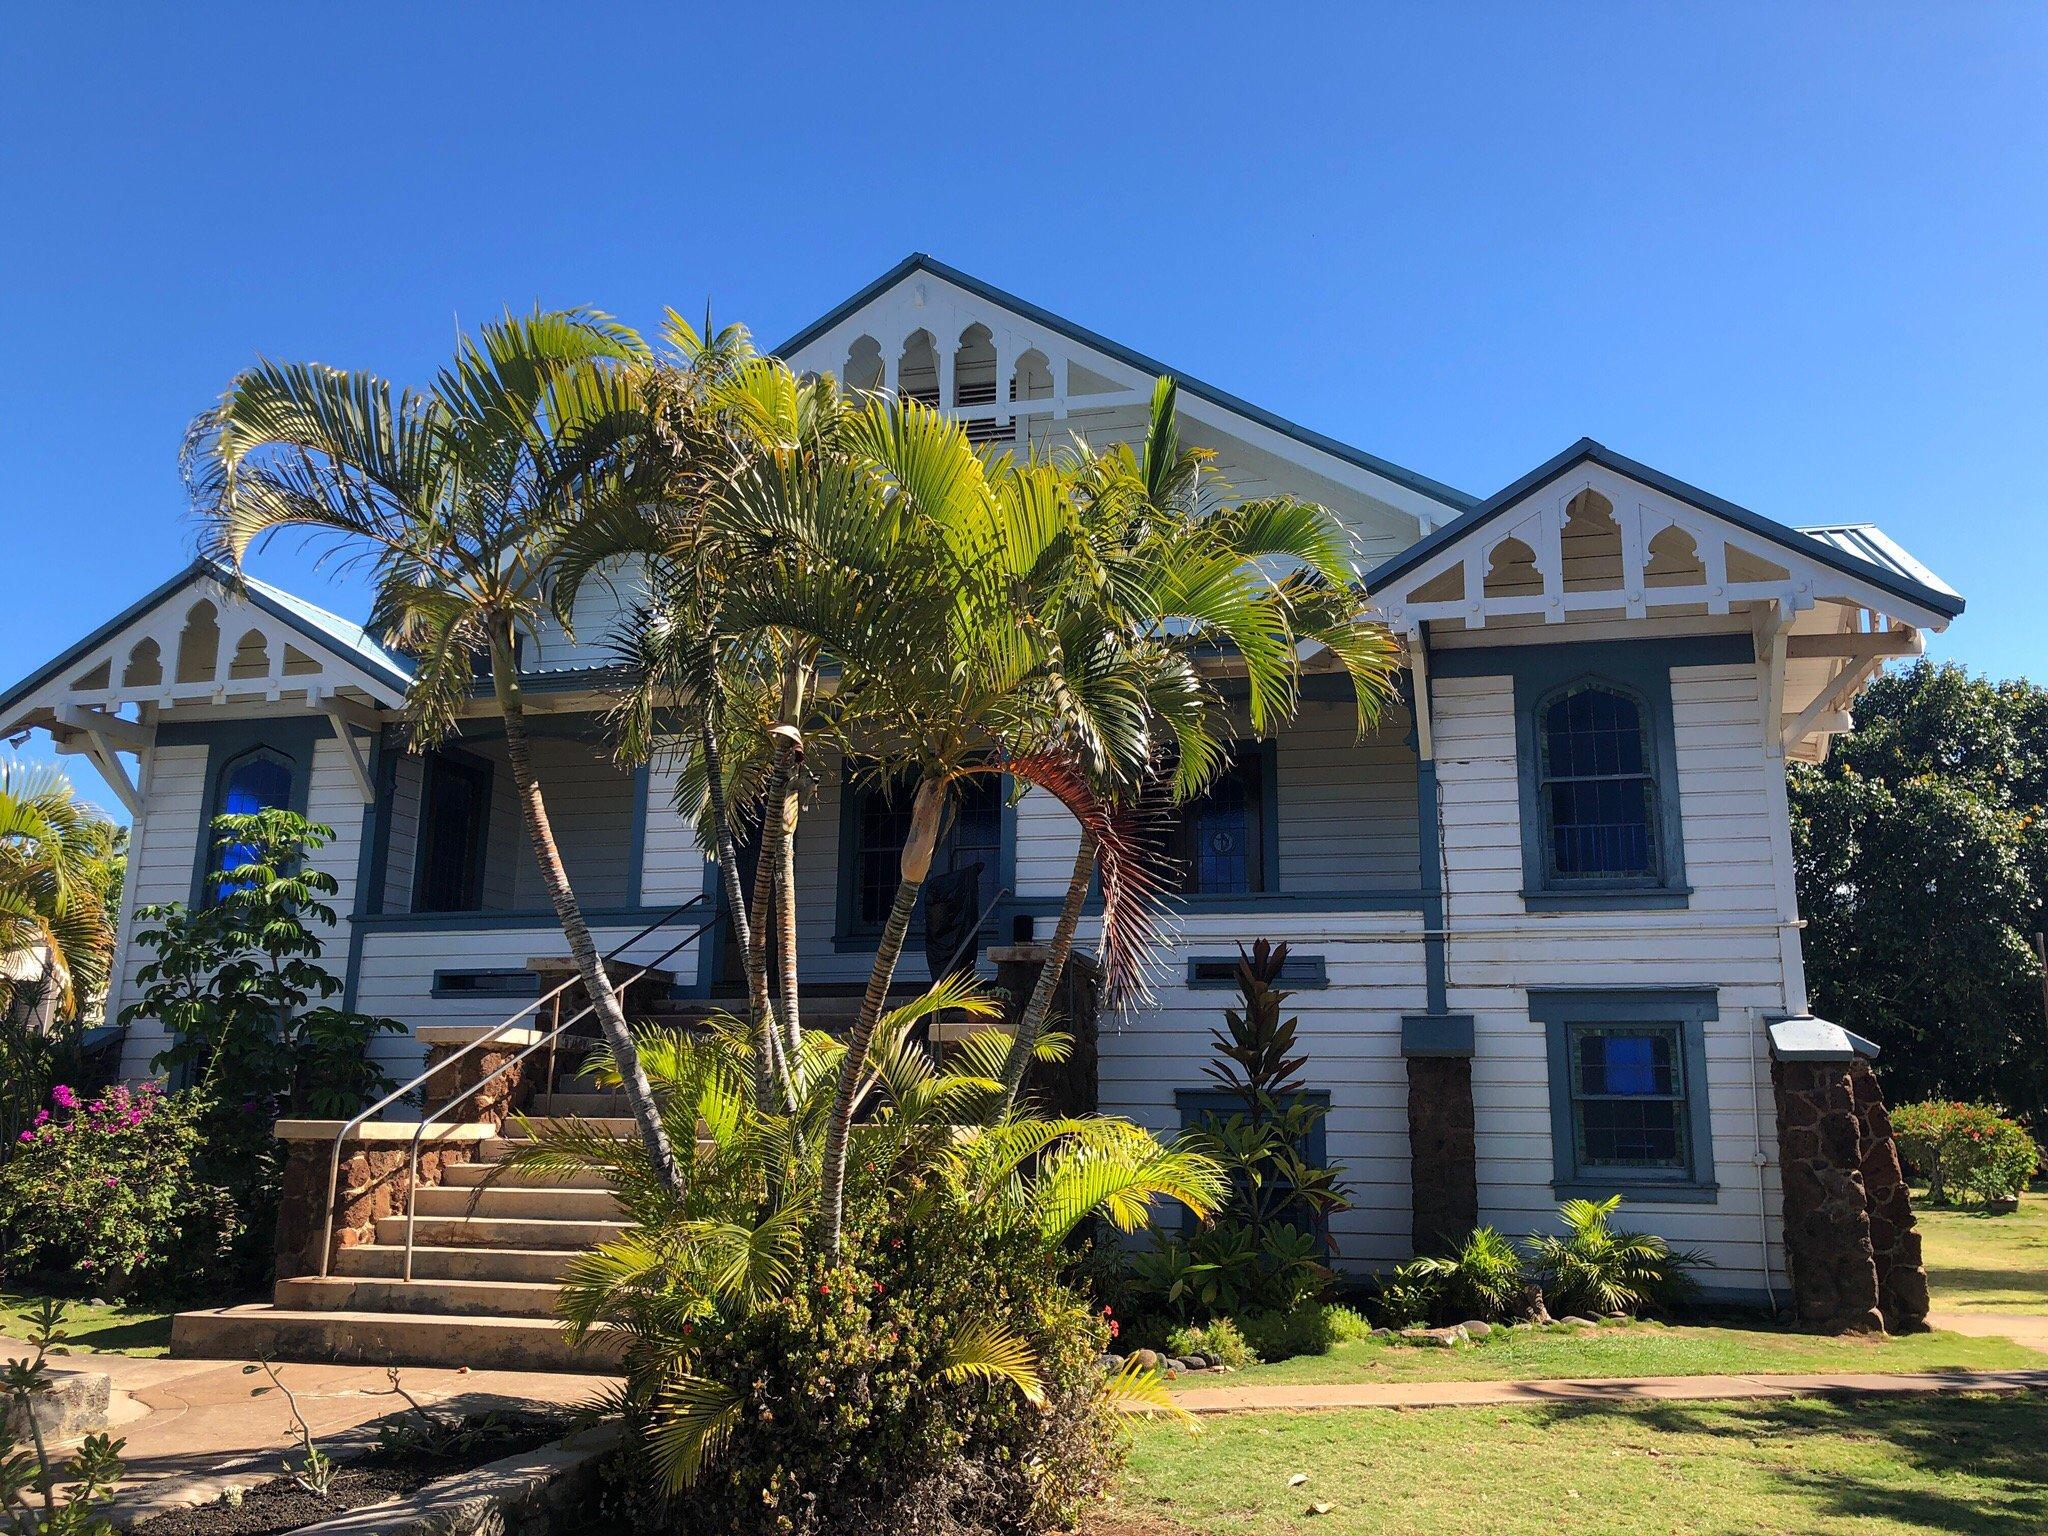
x=1164, y=566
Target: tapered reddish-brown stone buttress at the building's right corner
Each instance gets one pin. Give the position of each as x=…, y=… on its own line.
x=1850, y=1244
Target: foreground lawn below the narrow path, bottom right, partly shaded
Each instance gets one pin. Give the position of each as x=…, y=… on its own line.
x=1877, y=1467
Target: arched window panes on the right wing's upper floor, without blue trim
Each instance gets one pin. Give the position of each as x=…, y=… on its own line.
x=1596, y=785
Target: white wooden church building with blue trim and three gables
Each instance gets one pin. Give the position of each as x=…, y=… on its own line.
x=1564, y=861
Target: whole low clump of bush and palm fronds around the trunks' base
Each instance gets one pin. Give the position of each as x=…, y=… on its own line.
x=755, y=1355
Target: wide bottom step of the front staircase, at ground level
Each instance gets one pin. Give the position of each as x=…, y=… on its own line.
x=265, y=1332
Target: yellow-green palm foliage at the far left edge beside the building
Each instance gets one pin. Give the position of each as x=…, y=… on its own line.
x=58, y=865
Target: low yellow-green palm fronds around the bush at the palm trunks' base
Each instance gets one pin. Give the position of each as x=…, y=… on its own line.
x=734, y=1238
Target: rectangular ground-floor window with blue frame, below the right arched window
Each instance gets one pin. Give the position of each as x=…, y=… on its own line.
x=1629, y=1091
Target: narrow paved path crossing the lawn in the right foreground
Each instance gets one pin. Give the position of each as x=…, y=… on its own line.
x=1637, y=1390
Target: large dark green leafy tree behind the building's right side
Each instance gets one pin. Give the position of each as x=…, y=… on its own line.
x=1922, y=855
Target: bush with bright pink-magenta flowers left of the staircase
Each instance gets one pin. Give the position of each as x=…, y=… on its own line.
x=108, y=1193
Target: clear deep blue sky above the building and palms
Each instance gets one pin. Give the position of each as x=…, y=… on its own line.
x=1797, y=255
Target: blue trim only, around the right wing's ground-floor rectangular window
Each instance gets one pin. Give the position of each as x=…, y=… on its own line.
x=1682, y=1009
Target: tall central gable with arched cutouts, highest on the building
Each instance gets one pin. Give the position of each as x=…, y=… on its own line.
x=1019, y=374
